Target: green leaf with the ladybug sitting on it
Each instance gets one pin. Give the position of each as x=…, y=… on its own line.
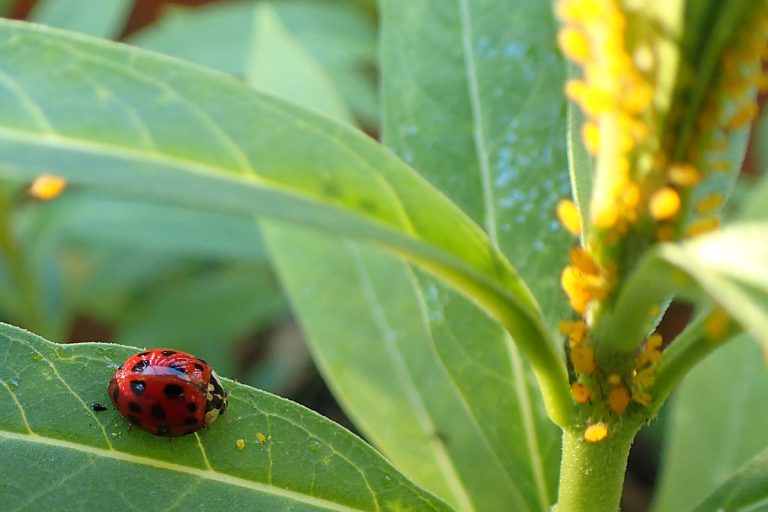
x=306, y=462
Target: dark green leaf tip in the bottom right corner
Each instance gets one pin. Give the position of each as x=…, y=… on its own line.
x=746, y=490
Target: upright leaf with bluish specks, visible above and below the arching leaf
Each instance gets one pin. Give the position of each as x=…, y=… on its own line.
x=477, y=108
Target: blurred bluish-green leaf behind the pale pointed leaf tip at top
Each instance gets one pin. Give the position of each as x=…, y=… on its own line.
x=339, y=37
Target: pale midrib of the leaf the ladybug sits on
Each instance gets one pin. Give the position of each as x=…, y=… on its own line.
x=203, y=474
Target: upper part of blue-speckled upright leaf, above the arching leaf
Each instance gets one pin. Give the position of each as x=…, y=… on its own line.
x=478, y=109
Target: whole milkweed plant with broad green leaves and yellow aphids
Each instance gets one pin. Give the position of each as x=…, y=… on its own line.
x=482, y=289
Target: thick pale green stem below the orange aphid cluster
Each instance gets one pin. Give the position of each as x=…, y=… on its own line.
x=592, y=474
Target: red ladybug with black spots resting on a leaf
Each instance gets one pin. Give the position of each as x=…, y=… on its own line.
x=167, y=392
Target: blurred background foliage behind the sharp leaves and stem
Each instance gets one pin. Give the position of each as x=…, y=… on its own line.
x=86, y=267
